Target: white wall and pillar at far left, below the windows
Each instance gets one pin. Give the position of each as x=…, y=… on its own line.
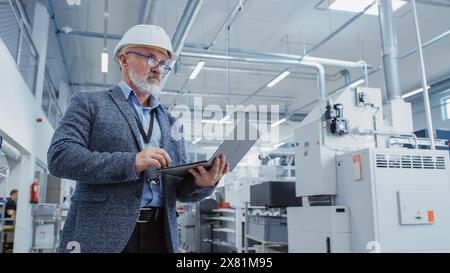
x=18, y=113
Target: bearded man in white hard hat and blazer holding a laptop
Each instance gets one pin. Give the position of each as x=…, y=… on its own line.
x=111, y=142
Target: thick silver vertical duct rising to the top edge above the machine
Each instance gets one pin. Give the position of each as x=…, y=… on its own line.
x=390, y=50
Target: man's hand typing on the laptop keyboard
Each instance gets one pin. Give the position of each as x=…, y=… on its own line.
x=152, y=157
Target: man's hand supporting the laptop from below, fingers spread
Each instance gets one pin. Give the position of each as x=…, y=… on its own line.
x=204, y=178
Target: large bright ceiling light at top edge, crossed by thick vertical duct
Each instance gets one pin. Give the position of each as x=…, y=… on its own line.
x=356, y=6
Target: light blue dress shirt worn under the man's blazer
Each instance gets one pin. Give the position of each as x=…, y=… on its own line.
x=153, y=193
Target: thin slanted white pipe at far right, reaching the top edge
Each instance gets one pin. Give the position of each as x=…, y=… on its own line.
x=426, y=99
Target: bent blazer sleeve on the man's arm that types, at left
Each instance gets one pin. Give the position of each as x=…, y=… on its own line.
x=69, y=155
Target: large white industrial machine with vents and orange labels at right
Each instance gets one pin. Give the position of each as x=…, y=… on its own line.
x=361, y=192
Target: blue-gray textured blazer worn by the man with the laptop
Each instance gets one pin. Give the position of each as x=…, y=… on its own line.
x=95, y=144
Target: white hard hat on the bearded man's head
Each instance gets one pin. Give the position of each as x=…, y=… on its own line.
x=145, y=35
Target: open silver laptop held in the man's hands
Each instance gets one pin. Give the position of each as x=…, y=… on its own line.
x=235, y=146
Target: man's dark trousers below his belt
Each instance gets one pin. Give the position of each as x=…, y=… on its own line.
x=147, y=238
